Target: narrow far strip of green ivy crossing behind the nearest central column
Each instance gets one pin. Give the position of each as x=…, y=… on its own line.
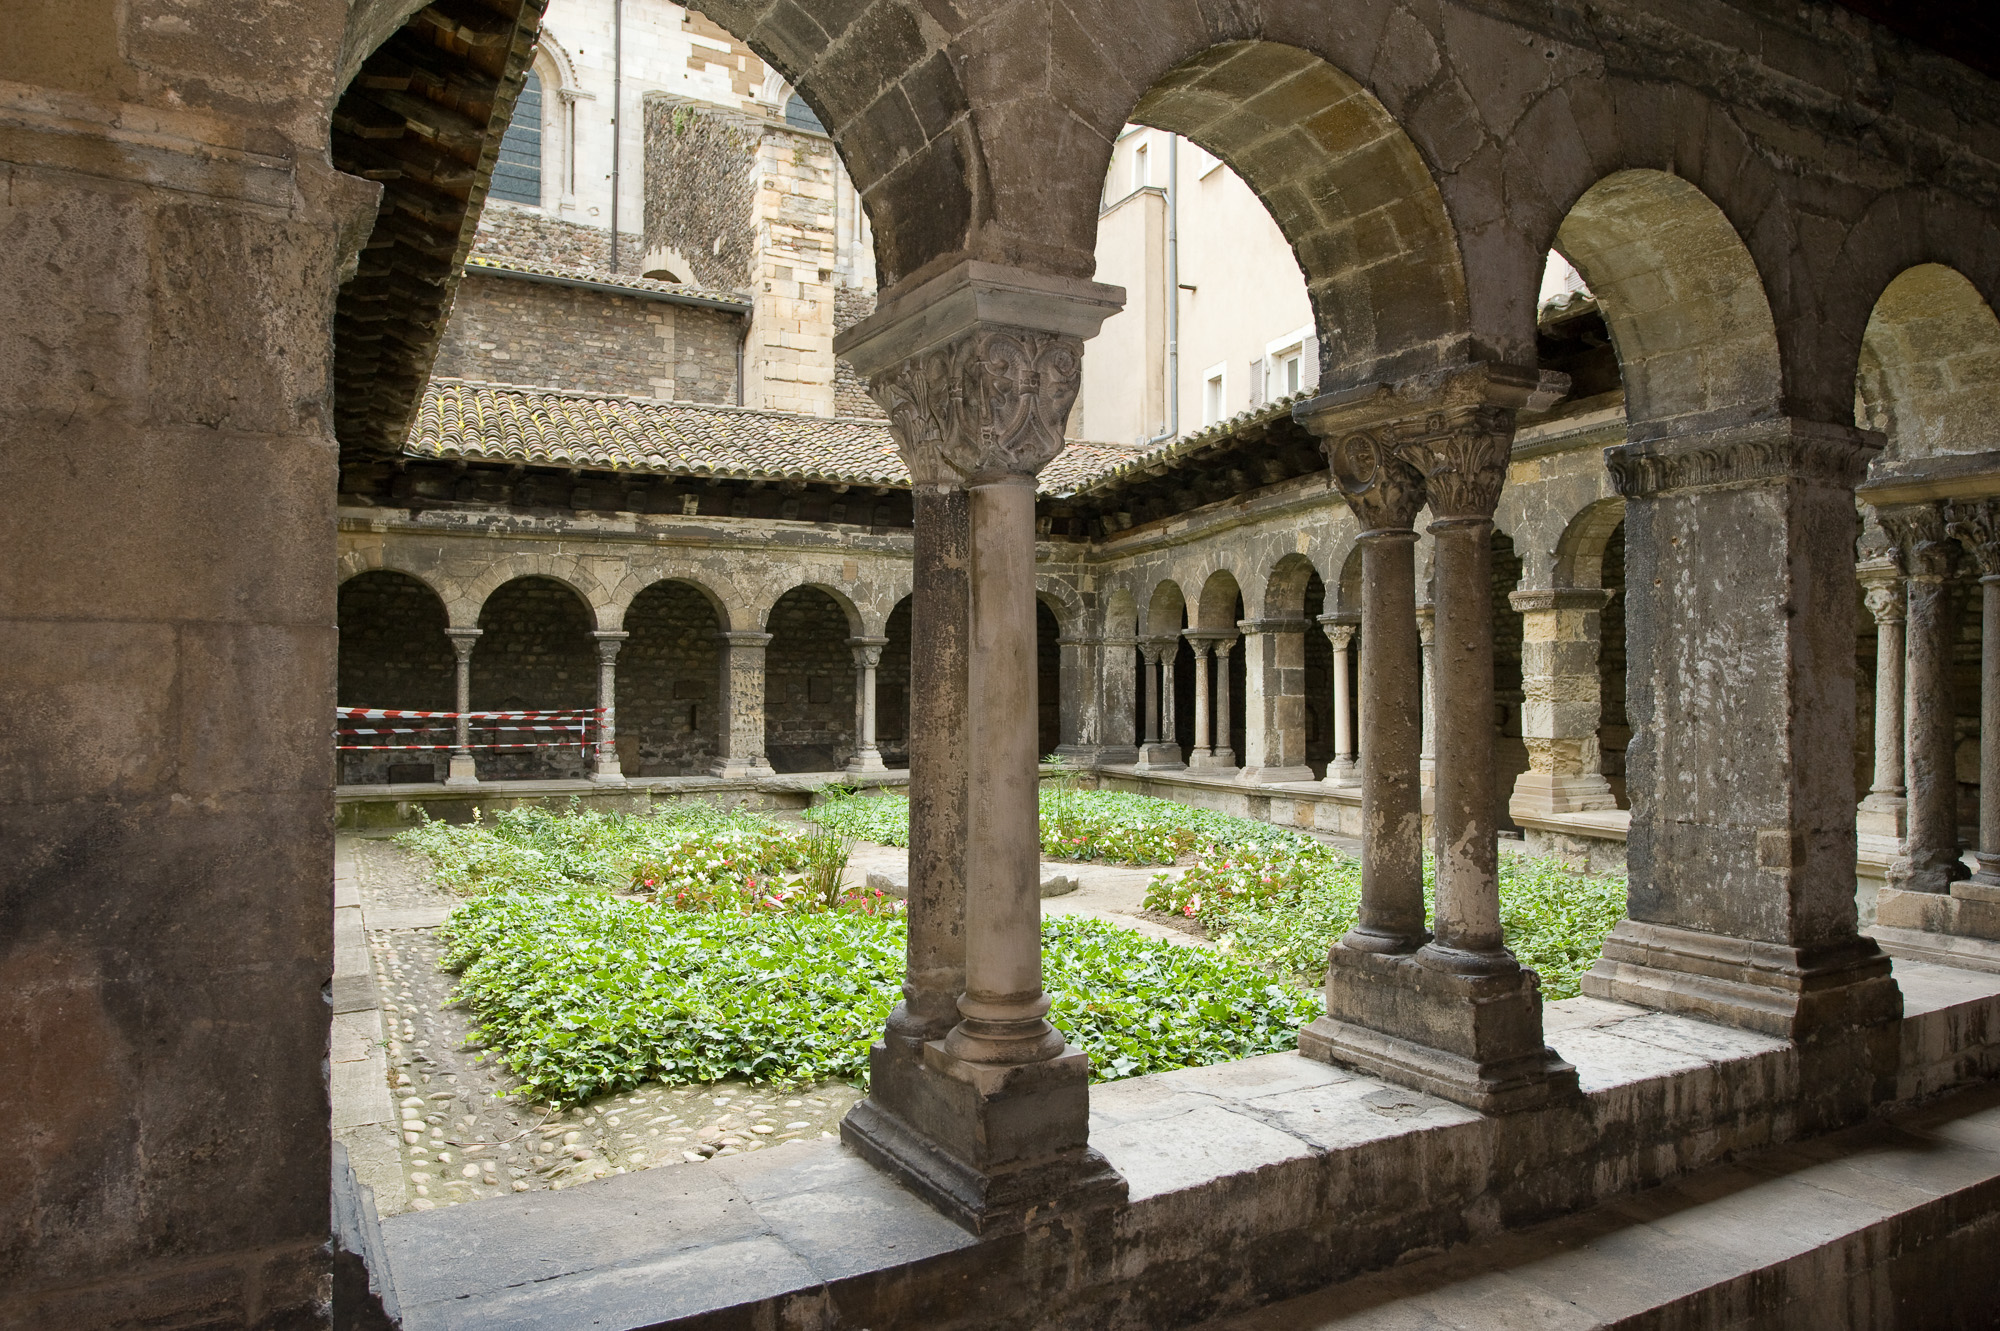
x=1081, y=824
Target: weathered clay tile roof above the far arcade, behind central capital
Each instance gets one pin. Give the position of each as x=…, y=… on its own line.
x=539, y=427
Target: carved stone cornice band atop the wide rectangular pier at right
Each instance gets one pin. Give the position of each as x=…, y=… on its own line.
x=1743, y=455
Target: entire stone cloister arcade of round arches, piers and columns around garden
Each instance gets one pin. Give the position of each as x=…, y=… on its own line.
x=1759, y=203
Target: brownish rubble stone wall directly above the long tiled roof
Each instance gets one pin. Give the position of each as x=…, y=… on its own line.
x=509, y=331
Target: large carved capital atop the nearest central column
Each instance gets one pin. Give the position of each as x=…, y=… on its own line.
x=979, y=367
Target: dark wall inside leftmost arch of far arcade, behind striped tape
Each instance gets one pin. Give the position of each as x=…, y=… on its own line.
x=393, y=655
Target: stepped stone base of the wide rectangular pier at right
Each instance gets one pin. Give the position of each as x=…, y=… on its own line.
x=1771, y=988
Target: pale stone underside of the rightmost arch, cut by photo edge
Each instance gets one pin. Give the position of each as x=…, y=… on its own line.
x=1929, y=371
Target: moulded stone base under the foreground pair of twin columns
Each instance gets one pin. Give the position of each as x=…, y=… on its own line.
x=1475, y=1040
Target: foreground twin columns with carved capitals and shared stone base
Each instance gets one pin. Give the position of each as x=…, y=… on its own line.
x=1455, y=1014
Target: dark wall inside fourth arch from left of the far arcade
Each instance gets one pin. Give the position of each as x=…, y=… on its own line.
x=809, y=684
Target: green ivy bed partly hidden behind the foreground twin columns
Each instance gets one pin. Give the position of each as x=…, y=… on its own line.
x=1283, y=906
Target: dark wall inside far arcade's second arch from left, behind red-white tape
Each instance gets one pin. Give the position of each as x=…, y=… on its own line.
x=535, y=655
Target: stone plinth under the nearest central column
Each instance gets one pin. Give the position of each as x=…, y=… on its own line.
x=991, y=1148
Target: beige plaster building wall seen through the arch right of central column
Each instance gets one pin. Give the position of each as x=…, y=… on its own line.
x=1229, y=249
